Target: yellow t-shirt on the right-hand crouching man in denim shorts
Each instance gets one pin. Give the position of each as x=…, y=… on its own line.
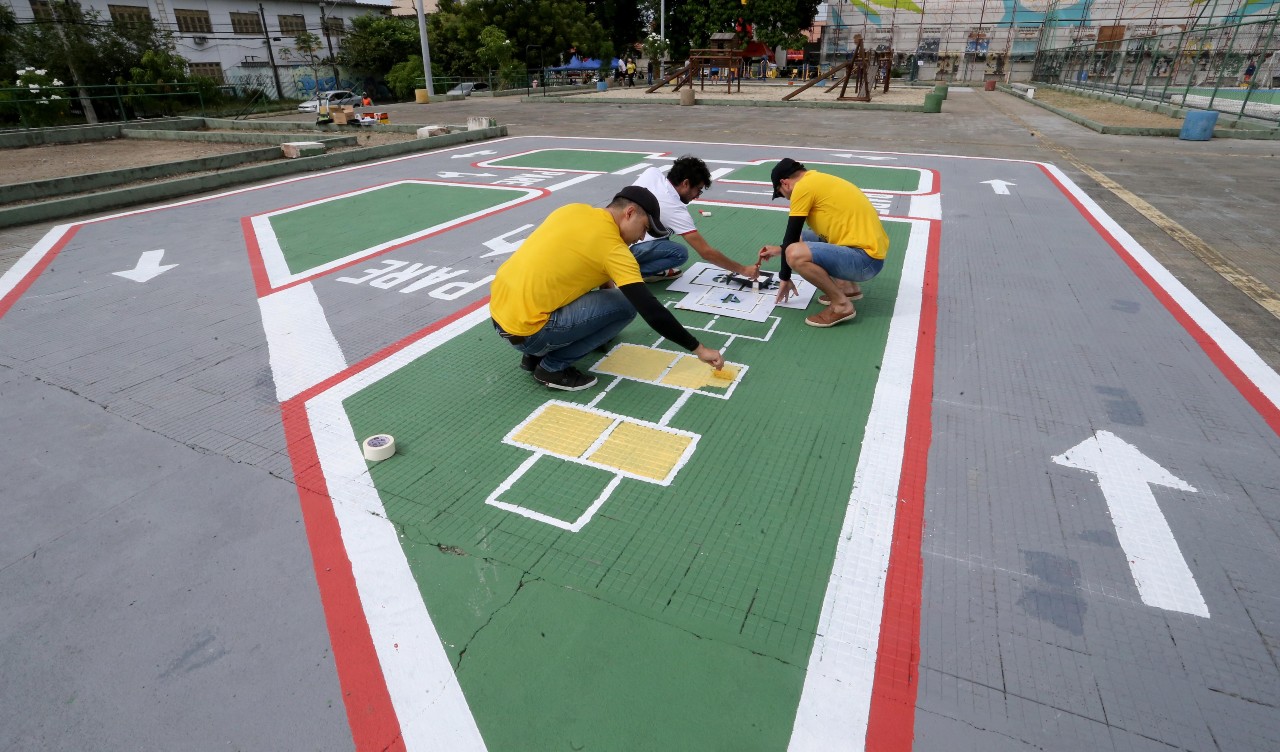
x=840, y=213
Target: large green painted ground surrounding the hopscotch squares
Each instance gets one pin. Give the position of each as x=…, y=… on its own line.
x=680, y=617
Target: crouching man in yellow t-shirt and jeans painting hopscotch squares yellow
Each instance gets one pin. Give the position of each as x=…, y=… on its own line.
x=574, y=285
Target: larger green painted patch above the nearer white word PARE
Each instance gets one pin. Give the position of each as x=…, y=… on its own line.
x=317, y=235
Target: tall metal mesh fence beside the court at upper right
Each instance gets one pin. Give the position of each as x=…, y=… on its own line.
x=1232, y=68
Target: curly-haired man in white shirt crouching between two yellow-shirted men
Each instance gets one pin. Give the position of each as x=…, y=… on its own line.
x=661, y=259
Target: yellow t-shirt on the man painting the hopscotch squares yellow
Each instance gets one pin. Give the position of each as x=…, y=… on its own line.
x=577, y=250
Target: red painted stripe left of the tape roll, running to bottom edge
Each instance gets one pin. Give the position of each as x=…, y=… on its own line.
x=364, y=689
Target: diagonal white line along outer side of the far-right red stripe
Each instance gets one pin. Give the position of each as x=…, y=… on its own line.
x=1249, y=361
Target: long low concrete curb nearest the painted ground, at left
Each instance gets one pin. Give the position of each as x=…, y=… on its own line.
x=97, y=203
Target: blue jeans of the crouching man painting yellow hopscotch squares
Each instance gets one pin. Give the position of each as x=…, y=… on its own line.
x=579, y=328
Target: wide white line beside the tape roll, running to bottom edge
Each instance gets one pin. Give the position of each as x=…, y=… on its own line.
x=429, y=704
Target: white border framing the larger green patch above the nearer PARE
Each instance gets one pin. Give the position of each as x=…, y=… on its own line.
x=278, y=269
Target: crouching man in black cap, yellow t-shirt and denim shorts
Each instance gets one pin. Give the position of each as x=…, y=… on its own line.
x=844, y=245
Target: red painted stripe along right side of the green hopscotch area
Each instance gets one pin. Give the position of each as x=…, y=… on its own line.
x=892, y=725
